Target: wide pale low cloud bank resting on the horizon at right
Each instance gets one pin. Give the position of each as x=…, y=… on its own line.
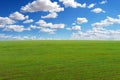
x=97, y=34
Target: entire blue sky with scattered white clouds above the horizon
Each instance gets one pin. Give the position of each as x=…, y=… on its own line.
x=59, y=20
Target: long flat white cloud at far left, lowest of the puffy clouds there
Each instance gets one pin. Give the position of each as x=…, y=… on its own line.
x=15, y=28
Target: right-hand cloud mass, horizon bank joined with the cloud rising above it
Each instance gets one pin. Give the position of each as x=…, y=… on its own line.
x=99, y=32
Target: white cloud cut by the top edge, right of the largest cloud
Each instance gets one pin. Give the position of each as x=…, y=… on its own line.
x=72, y=3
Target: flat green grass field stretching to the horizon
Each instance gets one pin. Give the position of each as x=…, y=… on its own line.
x=60, y=60
